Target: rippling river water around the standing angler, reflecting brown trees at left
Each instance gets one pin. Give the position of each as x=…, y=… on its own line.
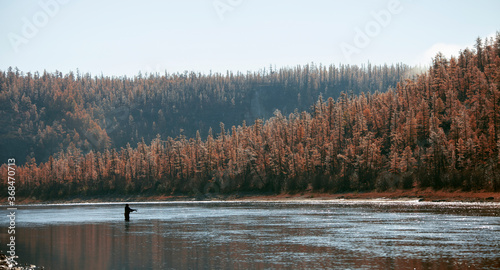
x=259, y=235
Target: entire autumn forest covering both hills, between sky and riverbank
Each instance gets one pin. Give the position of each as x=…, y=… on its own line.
x=439, y=129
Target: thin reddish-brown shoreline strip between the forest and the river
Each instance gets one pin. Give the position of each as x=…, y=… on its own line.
x=427, y=195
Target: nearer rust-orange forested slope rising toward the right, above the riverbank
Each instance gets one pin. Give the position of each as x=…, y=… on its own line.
x=440, y=130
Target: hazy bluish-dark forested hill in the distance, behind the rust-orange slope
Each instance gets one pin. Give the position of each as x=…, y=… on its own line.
x=43, y=114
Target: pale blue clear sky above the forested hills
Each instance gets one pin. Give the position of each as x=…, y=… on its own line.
x=122, y=37
